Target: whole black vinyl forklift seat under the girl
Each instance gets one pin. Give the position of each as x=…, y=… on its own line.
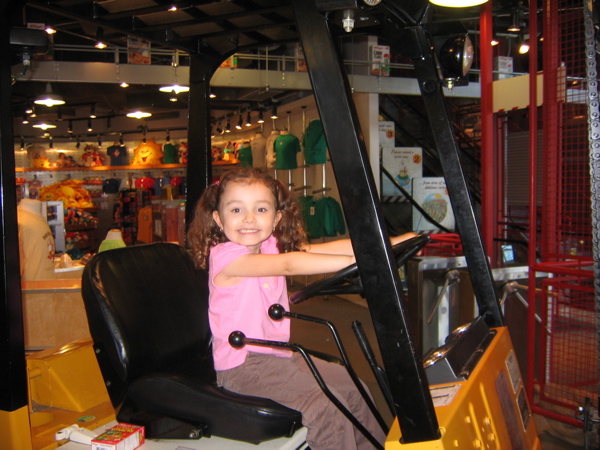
x=147, y=309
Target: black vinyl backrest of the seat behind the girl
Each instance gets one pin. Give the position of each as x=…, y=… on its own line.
x=147, y=309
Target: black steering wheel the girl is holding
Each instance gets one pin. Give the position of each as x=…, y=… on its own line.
x=347, y=280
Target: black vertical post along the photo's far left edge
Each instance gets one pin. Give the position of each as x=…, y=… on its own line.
x=13, y=390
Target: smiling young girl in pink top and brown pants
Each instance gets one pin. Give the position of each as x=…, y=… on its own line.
x=247, y=230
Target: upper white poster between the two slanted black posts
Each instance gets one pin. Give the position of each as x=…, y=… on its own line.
x=403, y=164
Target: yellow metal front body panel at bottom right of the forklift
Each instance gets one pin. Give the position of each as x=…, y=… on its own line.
x=471, y=413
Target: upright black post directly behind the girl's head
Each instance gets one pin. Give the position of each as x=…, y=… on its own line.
x=199, y=166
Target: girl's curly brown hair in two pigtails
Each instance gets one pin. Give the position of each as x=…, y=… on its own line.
x=203, y=233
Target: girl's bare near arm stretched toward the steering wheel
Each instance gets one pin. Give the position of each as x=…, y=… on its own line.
x=286, y=264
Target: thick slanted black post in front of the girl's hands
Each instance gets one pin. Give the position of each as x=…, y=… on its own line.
x=377, y=267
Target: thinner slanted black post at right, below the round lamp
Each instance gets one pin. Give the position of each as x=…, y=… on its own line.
x=466, y=222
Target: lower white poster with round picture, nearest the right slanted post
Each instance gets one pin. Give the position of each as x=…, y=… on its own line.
x=431, y=194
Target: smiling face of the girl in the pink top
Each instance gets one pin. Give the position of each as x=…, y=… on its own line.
x=247, y=214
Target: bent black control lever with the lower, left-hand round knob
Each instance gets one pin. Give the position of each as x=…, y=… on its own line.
x=237, y=339
